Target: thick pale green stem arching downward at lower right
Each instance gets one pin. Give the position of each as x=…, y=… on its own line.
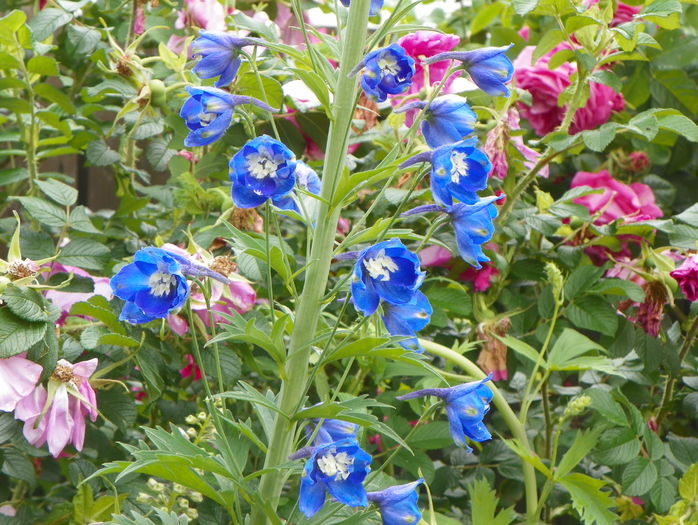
x=515, y=426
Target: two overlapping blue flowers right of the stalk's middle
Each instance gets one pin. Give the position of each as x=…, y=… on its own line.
x=389, y=273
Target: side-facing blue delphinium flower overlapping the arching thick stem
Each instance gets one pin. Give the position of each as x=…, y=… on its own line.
x=466, y=406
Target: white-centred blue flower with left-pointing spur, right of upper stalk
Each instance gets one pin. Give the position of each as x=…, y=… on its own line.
x=458, y=171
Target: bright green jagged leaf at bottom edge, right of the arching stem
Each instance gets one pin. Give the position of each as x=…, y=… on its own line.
x=592, y=504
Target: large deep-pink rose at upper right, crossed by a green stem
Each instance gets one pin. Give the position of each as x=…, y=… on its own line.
x=545, y=86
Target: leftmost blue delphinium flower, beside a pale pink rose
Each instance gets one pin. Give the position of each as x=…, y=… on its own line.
x=152, y=285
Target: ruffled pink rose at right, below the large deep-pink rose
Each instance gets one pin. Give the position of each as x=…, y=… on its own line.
x=632, y=203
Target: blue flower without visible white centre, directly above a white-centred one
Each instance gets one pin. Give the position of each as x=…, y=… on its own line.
x=448, y=119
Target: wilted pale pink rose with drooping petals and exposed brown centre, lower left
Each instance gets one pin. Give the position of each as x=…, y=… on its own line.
x=63, y=422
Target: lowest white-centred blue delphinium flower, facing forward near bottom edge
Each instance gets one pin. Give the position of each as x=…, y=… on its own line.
x=339, y=467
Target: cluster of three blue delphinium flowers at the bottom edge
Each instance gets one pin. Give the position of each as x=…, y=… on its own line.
x=337, y=464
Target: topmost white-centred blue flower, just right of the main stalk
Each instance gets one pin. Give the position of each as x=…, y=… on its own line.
x=387, y=71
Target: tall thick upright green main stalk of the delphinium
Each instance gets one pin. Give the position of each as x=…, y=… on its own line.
x=310, y=302
